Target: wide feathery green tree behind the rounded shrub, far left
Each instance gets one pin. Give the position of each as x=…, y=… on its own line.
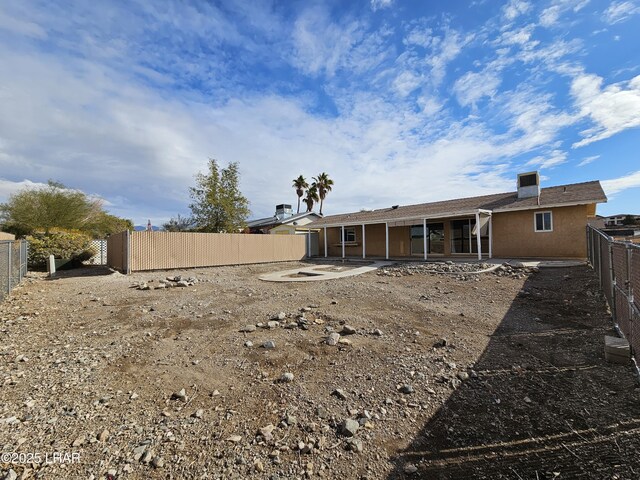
x=56, y=206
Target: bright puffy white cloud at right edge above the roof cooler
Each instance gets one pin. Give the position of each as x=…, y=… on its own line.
x=612, y=108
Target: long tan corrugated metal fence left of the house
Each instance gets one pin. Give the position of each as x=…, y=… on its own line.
x=138, y=251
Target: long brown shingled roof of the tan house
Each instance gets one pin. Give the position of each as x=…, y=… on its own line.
x=563, y=195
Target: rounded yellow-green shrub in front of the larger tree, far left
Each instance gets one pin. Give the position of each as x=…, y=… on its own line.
x=61, y=244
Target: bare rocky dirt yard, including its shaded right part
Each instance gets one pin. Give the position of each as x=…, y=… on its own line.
x=490, y=376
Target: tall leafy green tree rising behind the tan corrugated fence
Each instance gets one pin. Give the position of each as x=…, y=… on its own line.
x=218, y=205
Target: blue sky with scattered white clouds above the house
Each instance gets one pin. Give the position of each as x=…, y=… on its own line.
x=398, y=101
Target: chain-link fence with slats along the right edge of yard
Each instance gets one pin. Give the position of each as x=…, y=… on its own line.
x=618, y=268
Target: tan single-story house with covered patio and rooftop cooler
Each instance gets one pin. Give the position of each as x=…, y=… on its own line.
x=531, y=222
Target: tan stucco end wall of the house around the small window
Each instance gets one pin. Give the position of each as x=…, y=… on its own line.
x=514, y=234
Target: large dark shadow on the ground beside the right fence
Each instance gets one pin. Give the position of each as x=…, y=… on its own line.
x=544, y=404
